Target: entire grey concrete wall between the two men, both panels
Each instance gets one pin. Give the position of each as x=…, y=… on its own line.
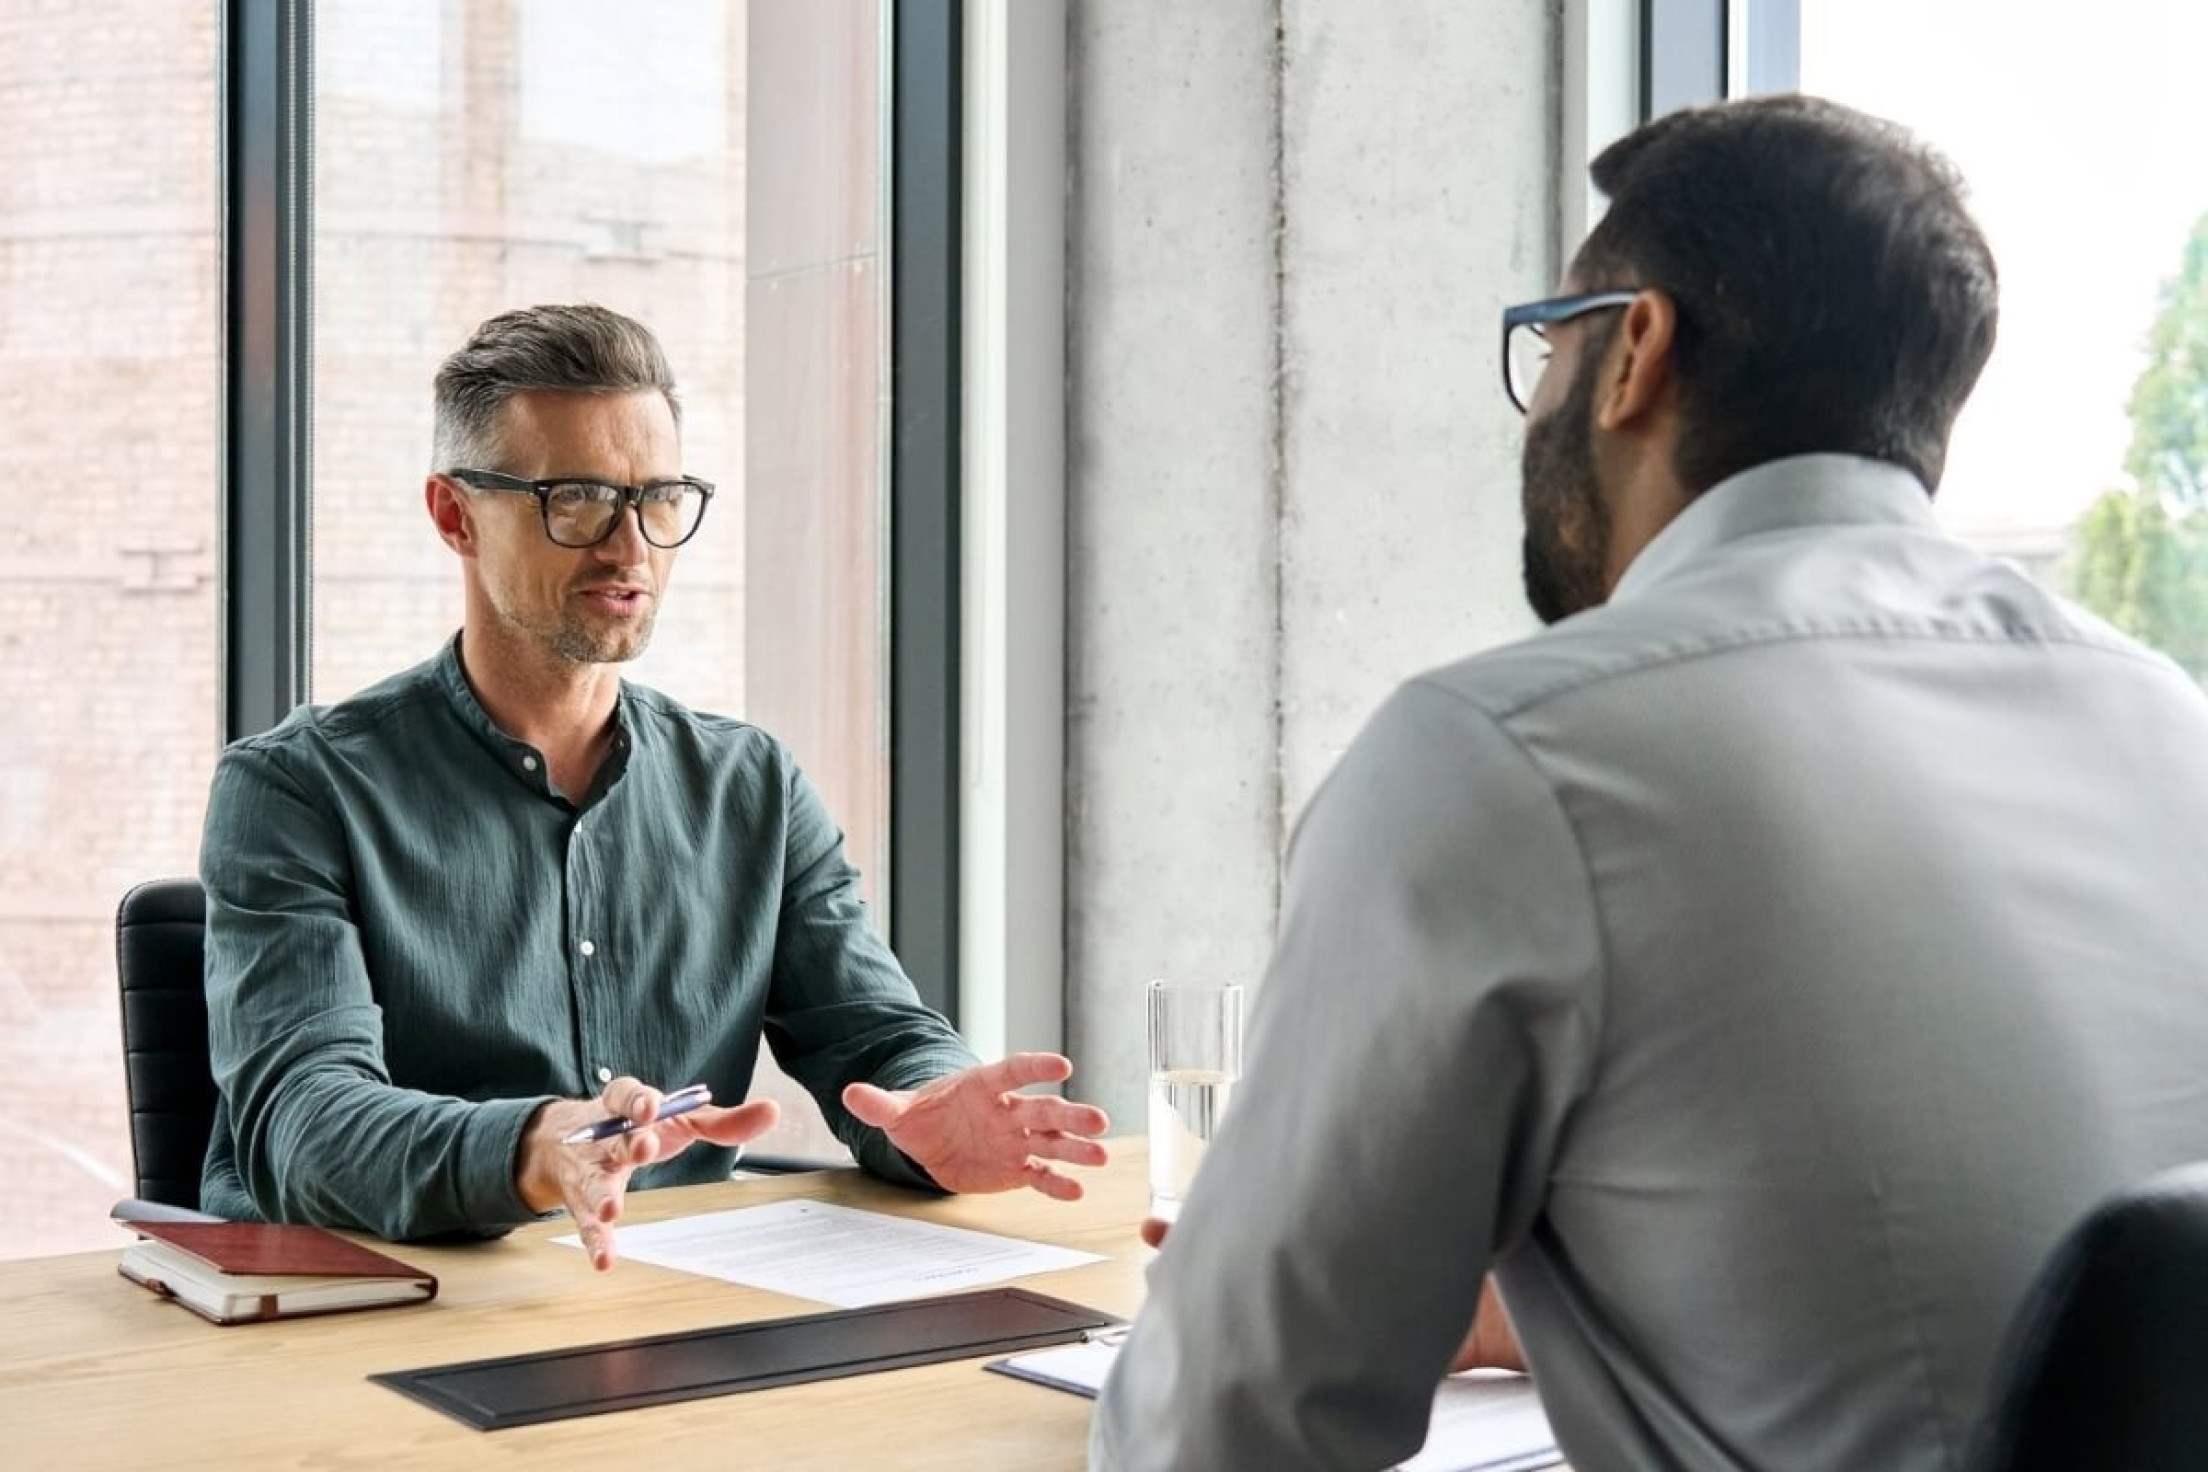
x=1291, y=465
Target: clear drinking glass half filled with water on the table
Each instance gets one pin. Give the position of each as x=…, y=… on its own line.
x=1196, y=1058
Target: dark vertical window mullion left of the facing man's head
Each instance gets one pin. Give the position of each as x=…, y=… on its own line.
x=268, y=359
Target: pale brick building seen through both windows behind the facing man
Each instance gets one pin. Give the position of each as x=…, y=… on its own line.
x=471, y=156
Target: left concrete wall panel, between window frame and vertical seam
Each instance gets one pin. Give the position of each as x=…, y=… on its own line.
x=1171, y=513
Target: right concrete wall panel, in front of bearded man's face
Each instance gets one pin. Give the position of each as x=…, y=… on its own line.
x=1419, y=175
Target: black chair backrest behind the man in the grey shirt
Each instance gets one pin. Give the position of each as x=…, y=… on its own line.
x=2108, y=1363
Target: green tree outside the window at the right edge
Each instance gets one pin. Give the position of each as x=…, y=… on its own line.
x=2141, y=555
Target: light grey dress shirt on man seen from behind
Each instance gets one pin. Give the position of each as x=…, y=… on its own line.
x=1761, y=972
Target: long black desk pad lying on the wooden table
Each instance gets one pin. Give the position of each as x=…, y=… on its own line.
x=683, y=1367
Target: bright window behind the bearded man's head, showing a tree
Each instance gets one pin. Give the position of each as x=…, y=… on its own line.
x=2085, y=449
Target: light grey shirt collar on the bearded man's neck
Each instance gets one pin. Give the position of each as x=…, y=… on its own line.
x=1801, y=491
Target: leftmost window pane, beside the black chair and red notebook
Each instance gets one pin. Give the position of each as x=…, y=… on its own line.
x=109, y=707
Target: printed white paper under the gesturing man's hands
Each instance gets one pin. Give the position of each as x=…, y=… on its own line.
x=838, y=1255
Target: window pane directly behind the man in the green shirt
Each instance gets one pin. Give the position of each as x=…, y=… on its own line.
x=705, y=167
